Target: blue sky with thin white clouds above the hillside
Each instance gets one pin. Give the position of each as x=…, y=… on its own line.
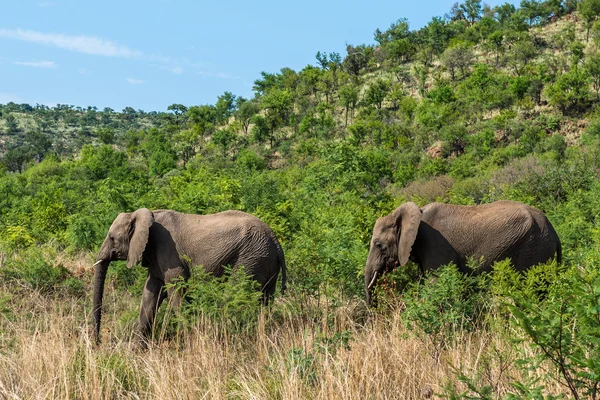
x=150, y=54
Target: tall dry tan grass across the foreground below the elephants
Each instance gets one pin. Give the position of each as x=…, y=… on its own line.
x=46, y=352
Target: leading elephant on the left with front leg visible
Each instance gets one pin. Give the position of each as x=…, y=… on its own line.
x=164, y=240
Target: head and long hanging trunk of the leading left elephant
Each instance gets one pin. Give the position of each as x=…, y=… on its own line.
x=126, y=240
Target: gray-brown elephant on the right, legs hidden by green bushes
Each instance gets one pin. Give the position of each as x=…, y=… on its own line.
x=439, y=234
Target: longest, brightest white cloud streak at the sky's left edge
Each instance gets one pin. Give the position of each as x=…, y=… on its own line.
x=81, y=44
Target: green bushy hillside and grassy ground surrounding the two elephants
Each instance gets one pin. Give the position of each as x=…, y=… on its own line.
x=480, y=105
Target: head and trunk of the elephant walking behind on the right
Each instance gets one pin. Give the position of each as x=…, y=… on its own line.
x=393, y=237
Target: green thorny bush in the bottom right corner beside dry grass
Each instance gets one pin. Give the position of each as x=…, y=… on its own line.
x=559, y=315
